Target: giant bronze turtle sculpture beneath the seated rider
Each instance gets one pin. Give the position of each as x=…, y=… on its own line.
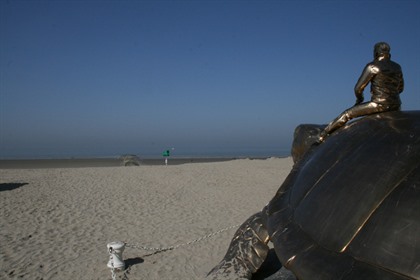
x=349, y=209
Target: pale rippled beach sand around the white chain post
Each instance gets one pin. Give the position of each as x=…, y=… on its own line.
x=56, y=222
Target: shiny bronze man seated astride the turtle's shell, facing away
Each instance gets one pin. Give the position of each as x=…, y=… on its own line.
x=387, y=83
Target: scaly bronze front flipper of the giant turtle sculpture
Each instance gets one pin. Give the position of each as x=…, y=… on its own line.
x=247, y=251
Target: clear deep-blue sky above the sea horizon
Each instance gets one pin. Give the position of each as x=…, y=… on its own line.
x=92, y=78
